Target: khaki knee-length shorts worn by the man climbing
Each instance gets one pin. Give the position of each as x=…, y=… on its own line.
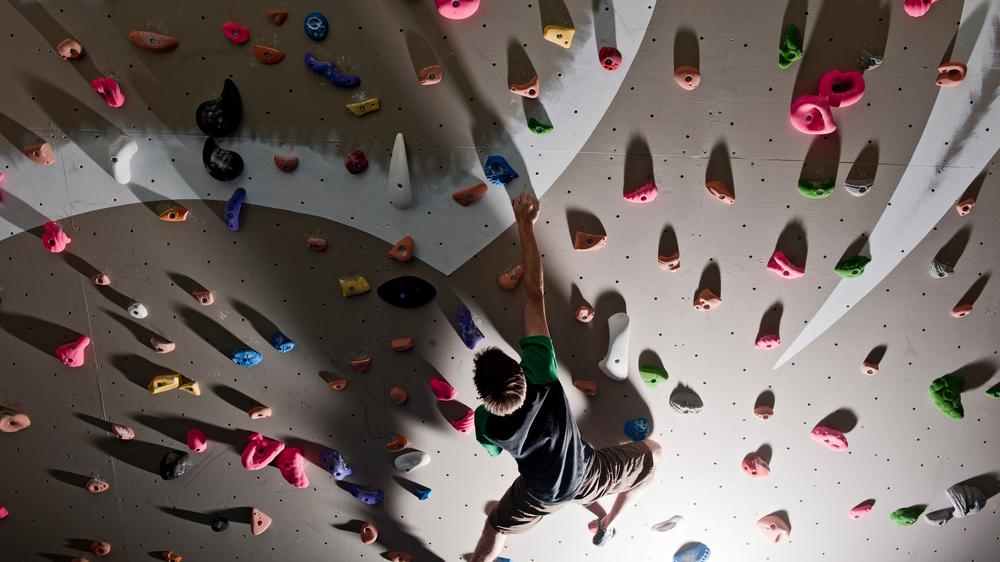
x=614, y=470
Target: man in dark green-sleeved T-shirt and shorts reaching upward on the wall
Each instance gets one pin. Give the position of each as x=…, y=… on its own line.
x=525, y=412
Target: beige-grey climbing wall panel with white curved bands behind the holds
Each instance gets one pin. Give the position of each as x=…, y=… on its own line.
x=276, y=266
